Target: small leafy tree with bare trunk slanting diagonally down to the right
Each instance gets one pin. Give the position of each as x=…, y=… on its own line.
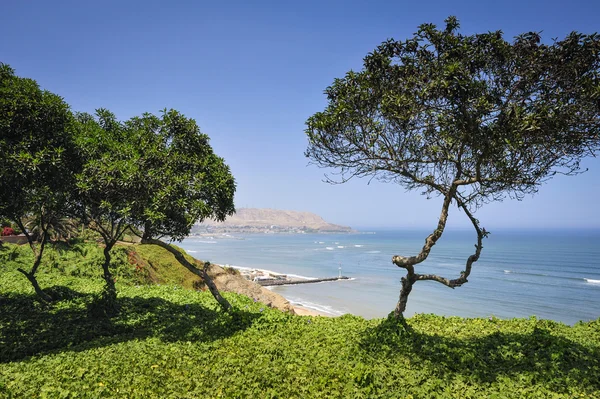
x=186, y=182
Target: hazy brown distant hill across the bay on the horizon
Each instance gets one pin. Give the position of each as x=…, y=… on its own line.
x=274, y=220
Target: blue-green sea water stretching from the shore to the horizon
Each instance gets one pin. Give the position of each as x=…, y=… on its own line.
x=549, y=274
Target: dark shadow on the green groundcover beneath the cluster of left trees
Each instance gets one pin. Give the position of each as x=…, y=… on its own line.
x=28, y=327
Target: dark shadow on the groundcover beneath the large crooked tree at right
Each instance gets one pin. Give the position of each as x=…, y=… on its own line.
x=540, y=356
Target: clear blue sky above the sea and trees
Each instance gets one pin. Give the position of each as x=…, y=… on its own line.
x=252, y=72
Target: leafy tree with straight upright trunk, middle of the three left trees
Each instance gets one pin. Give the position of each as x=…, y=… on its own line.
x=108, y=184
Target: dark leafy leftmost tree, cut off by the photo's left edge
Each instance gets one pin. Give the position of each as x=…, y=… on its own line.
x=39, y=160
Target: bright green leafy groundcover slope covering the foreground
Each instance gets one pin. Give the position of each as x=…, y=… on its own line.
x=173, y=342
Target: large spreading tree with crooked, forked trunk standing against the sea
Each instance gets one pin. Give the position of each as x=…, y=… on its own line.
x=472, y=119
